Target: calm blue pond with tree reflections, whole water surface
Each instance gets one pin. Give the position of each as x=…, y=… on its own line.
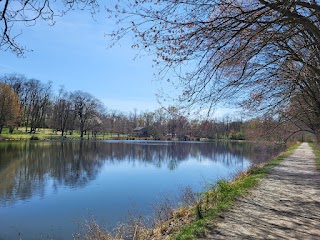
x=49, y=188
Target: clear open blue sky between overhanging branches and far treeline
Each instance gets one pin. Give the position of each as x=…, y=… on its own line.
x=75, y=53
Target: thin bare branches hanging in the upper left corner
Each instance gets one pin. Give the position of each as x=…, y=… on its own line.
x=31, y=11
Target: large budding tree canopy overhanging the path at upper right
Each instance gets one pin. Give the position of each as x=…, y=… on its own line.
x=263, y=55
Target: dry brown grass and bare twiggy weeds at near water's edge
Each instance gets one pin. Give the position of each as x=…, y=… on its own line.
x=167, y=220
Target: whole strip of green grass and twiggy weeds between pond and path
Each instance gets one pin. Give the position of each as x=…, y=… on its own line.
x=189, y=221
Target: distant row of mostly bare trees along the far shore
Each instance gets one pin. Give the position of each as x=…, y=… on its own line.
x=31, y=104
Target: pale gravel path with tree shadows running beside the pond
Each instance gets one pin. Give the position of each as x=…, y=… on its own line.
x=285, y=205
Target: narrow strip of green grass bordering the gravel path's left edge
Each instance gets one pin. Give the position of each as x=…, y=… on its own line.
x=222, y=195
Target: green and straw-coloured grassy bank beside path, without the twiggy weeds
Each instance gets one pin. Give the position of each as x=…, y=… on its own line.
x=218, y=201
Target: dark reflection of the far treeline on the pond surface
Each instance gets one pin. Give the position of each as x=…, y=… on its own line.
x=26, y=167
